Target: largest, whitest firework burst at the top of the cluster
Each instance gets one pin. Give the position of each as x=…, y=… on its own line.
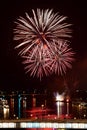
x=44, y=27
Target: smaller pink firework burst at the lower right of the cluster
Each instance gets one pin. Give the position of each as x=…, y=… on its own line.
x=62, y=58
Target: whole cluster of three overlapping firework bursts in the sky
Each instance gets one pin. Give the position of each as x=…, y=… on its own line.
x=43, y=42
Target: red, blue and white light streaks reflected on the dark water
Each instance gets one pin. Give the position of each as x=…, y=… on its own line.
x=19, y=106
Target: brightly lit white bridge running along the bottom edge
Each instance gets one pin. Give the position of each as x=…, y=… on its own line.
x=57, y=123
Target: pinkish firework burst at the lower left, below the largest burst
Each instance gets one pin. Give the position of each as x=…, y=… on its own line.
x=39, y=64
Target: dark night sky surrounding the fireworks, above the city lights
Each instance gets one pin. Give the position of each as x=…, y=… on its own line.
x=12, y=75
